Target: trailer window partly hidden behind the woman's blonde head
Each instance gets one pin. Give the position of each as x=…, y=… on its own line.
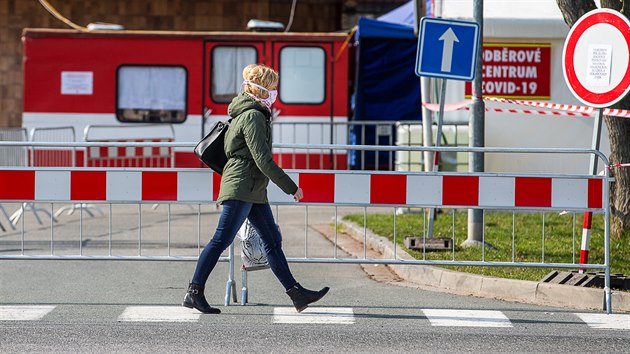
x=227, y=70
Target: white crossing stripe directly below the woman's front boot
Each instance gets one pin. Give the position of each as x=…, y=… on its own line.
x=314, y=315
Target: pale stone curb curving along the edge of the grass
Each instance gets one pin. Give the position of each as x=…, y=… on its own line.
x=460, y=283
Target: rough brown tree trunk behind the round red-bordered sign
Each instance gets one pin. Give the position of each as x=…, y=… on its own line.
x=618, y=128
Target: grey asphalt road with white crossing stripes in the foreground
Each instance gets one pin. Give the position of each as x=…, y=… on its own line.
x=134, y=306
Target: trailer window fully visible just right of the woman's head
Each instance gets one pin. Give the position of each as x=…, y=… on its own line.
x=302, y=75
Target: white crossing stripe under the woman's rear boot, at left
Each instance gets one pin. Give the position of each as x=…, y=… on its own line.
x=159, y=314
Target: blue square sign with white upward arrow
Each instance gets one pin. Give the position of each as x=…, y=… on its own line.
x=447, y=49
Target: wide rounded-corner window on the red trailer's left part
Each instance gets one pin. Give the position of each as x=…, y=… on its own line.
x=151, y=94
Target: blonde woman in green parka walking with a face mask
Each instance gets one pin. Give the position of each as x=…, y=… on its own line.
x=243, y=192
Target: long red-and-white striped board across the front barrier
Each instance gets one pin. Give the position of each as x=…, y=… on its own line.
x=202, y=186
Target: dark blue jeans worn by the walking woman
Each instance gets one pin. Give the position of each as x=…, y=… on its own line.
x=234, y=214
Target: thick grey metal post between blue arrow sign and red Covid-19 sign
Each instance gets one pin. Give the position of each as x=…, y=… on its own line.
x=477, y=131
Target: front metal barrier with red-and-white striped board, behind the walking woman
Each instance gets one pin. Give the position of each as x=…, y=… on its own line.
x=326, y=188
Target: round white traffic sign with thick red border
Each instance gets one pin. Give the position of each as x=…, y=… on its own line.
x=596, y=58
